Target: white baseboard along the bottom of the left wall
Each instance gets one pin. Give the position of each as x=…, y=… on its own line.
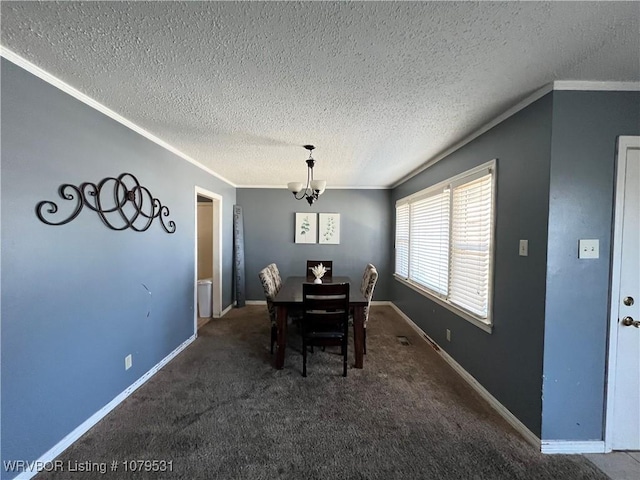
x=90, y=422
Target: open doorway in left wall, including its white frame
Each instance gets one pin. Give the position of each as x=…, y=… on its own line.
x=208, y=252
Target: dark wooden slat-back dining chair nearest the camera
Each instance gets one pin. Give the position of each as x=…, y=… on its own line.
x=325, y=321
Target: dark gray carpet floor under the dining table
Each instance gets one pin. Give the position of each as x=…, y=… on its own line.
x=220, y=410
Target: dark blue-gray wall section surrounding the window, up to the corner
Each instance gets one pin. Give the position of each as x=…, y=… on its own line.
x=507, y=362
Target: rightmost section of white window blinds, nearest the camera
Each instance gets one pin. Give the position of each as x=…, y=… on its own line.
x=471, y=229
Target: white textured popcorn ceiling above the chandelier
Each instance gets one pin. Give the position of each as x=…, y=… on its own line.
x=379, y=88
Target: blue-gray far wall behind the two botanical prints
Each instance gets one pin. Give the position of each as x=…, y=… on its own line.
x=365, y=234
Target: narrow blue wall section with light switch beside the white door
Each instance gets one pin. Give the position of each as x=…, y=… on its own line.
x=585, y=130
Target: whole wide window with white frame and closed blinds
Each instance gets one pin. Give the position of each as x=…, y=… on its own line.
x=444, y=242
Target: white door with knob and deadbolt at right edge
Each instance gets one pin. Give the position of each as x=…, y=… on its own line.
x=623, y=420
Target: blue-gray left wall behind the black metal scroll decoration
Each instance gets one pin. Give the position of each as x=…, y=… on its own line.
x=75, y=298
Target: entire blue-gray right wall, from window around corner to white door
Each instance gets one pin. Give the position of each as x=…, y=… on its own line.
x=556, y=161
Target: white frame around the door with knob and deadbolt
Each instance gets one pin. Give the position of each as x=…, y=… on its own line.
x=624, y=142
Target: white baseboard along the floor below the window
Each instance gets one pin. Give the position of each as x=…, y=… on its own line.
x=528, y=435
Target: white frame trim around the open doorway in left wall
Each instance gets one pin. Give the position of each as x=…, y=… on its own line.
x=216, y=269
